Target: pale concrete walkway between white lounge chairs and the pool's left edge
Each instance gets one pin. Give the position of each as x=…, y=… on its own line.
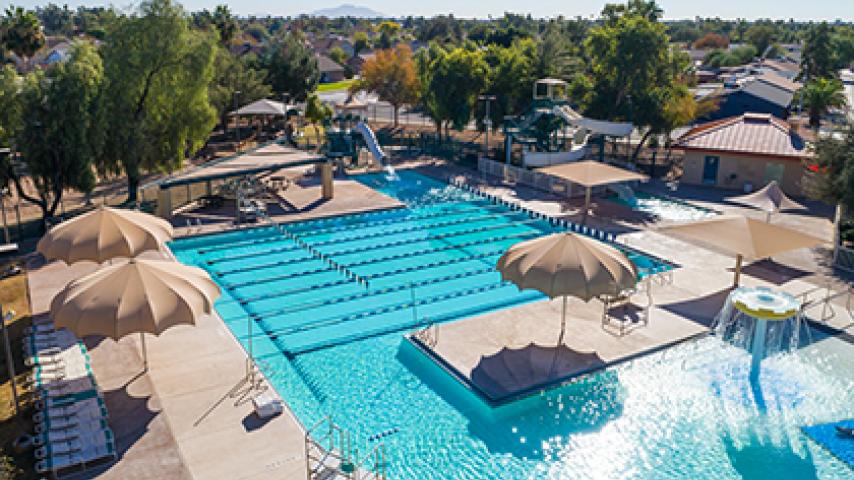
x=190, y=415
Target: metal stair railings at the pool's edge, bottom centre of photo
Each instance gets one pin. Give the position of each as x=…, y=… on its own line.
x=331, y=455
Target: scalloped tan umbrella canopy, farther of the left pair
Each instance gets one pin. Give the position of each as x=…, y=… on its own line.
x=103, y=234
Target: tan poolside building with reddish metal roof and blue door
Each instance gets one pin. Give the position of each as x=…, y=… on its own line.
x=744, y=153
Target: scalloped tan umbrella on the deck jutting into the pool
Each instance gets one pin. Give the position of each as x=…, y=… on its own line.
x=568, y=264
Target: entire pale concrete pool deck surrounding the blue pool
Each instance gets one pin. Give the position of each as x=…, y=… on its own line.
x=188, y=416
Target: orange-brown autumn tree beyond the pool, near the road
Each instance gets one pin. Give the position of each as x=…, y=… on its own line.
x=391, y=75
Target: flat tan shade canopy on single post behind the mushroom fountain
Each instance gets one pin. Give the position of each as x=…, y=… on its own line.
x=743, y=237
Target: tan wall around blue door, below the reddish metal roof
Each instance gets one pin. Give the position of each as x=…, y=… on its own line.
x=746, y=169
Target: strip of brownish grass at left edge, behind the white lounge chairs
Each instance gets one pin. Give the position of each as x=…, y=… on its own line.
x=13, y=296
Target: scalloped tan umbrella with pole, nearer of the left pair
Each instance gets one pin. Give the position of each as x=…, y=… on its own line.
x=137, y=296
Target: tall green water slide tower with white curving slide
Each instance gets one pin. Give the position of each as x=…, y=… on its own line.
x=551, y=132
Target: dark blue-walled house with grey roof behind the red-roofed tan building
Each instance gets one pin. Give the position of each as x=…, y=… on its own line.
x=766, y=93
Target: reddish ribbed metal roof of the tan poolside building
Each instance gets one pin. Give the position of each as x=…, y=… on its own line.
x=751, y=133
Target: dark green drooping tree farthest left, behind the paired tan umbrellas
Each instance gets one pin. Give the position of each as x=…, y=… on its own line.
x=56, y=141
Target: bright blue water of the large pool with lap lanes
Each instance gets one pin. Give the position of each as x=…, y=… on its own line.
x=333, y=347
